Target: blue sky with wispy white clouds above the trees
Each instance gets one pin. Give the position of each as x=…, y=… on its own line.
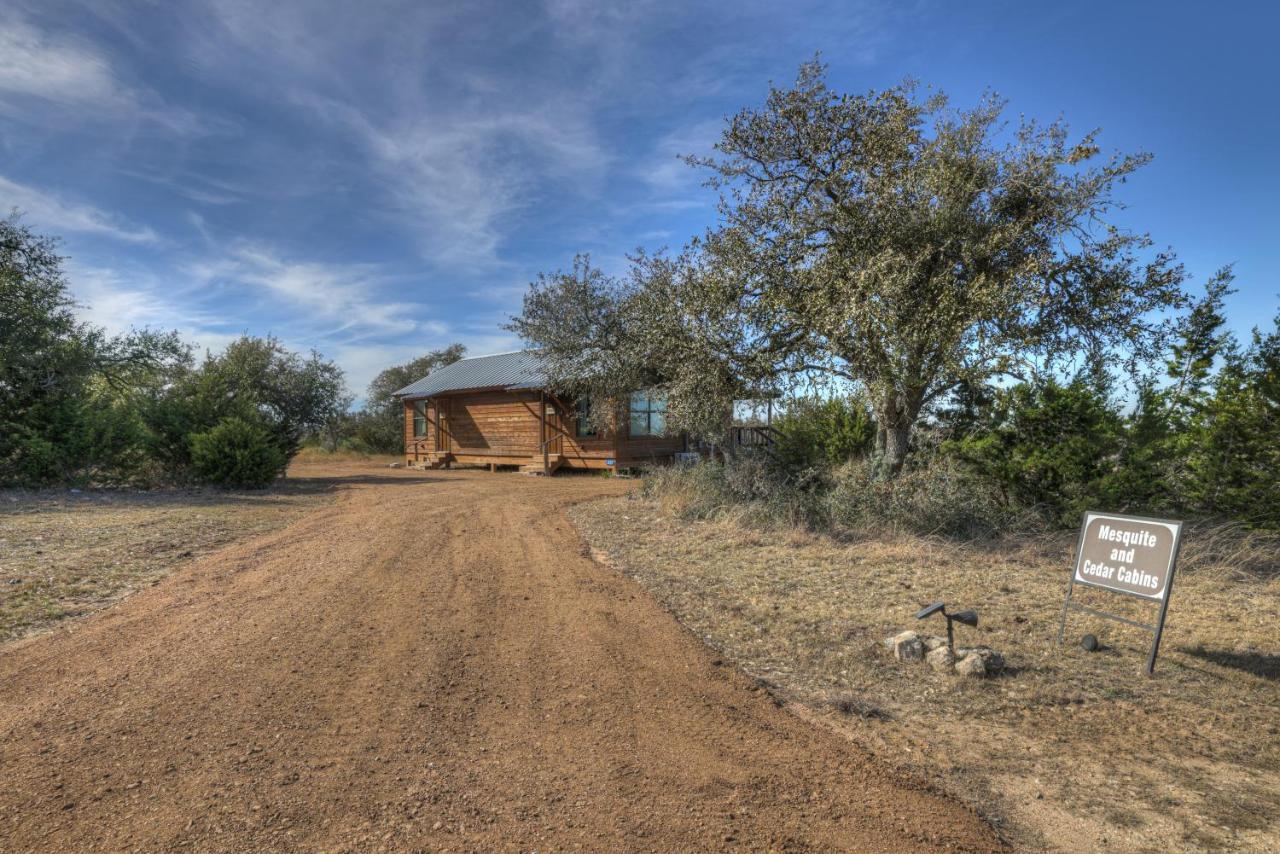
x=376, y=180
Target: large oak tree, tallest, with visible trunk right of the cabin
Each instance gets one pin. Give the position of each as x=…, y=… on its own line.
x=909, y=246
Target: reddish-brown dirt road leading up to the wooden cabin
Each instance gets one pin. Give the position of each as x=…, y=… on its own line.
x=429, y=664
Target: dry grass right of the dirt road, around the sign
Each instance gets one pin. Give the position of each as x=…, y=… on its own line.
x=1082, y=750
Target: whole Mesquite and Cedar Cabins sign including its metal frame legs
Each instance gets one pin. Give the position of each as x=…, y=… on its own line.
x=1128, y=555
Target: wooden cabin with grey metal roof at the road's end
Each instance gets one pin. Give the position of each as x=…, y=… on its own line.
x=497, y=412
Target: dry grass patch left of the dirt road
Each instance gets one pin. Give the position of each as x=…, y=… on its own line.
x=68, y=554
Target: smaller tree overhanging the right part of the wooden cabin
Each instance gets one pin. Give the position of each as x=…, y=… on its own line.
x=671, y=326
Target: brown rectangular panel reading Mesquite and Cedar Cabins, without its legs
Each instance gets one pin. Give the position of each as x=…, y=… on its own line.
x=1128, y=555
